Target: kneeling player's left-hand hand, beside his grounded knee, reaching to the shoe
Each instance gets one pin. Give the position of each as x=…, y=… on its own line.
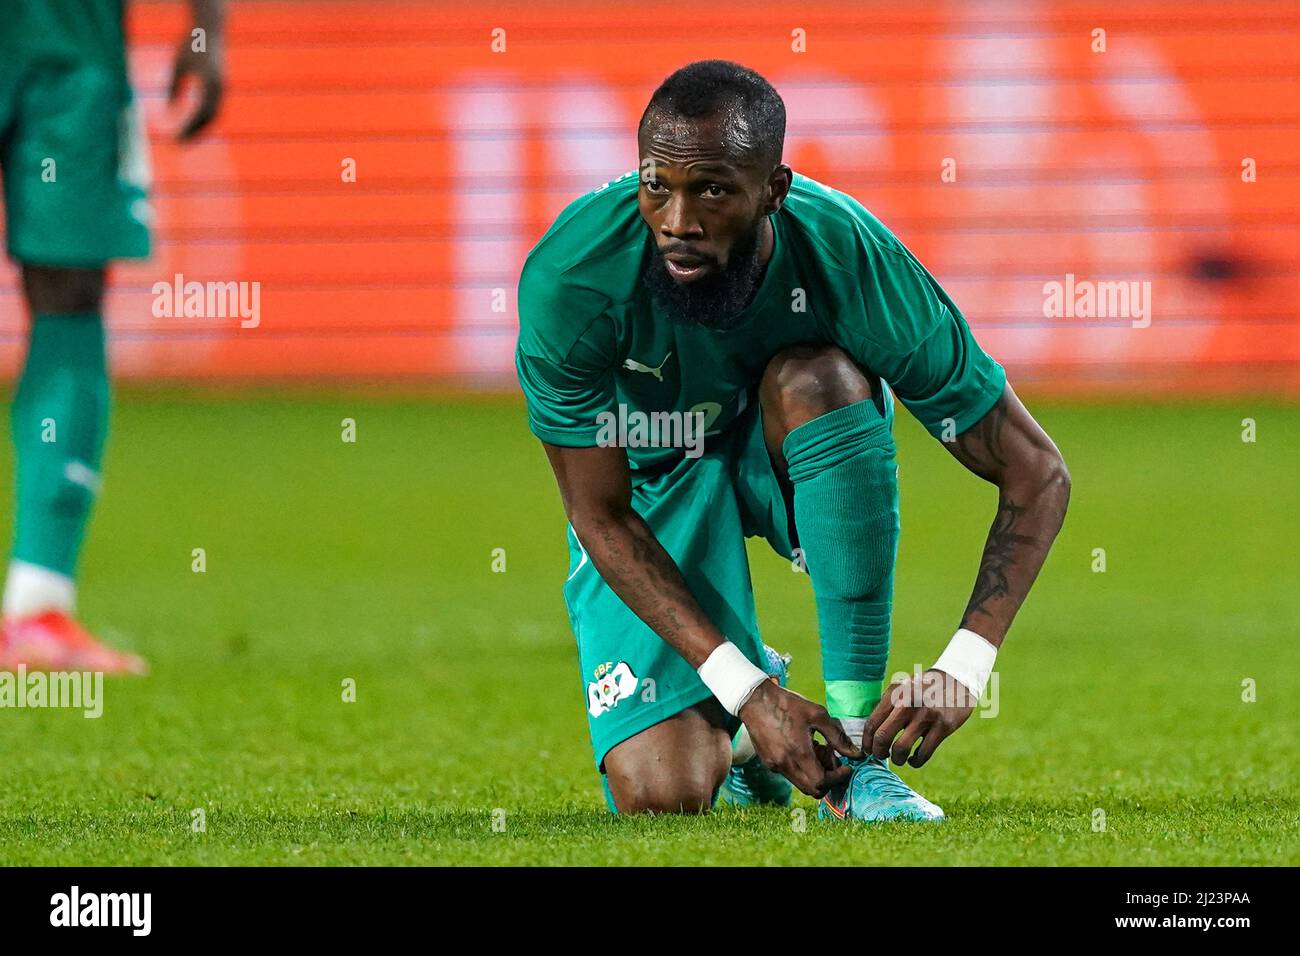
x=782, y=723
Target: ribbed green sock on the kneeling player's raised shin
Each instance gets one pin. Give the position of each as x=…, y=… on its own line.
x=847, y=513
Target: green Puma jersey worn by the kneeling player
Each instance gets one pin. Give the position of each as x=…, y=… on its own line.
x=591, y=339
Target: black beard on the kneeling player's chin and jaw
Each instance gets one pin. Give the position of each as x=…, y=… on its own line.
x=714, y=301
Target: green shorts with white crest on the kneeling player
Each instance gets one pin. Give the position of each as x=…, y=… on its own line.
x=701, y=512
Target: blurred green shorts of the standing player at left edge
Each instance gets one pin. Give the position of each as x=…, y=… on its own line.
x=75, y=163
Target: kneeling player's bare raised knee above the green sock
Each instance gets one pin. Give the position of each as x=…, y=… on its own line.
x=805, y=382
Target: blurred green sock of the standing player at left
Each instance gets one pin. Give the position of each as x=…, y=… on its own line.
x=60, y=418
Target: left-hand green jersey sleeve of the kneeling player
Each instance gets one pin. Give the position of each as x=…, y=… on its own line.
x=565, y=360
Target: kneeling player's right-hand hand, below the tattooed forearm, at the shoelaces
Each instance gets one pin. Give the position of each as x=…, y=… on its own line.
x=928, y=707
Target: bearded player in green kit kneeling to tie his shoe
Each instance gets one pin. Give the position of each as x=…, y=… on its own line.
x=720, y=288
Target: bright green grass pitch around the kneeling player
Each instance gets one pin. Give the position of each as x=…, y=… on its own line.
x=1120, y=691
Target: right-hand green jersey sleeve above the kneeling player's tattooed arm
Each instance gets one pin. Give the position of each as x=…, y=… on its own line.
x=918, y=341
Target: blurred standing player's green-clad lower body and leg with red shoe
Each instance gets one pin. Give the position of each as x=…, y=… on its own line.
x=75, y=174
